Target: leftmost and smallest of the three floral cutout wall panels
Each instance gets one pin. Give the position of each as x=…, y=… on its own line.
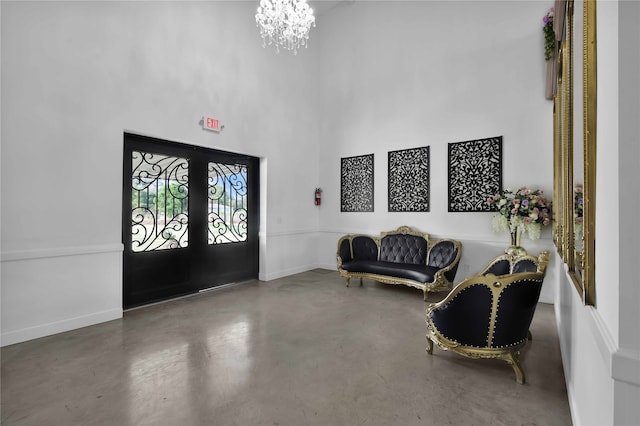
x=356, y=184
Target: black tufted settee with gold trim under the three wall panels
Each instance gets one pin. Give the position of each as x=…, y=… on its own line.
x=402, y=256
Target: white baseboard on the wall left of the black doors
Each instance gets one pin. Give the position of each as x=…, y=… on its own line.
x=18, y=336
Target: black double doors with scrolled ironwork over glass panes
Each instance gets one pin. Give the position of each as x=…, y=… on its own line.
x=189, y=221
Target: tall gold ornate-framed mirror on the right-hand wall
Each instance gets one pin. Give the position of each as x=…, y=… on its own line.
x=575, y=160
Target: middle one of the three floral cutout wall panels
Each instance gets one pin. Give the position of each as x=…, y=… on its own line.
x=409, y=180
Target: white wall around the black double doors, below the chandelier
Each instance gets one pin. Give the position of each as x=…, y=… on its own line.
x=75, y=76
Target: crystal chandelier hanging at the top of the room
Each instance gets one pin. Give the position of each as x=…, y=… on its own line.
x=285, y=23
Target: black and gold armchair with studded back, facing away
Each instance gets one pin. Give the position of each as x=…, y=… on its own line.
x=488, y=315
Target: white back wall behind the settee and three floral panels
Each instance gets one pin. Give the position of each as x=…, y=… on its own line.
x=413, y=74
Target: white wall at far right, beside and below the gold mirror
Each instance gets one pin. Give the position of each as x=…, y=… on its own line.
x=601, y=345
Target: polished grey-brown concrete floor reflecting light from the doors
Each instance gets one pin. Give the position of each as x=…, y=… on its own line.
x=301, y=350
